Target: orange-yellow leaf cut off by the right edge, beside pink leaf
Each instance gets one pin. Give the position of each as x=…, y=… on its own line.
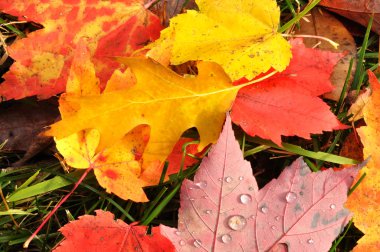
x=365, y=200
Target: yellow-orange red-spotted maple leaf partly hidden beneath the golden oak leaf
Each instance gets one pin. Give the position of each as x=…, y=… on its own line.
x=115, y=166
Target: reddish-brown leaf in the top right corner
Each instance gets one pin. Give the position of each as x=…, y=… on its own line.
x=358, y=10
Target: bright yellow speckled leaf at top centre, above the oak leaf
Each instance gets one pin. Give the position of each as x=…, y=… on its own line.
x=240, y=35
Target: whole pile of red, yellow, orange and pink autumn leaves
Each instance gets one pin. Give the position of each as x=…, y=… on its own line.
x=124, y=111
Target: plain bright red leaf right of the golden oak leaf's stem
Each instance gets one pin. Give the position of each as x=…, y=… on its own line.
x=287, y=103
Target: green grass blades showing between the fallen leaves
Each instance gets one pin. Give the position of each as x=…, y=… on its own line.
x=30, y=192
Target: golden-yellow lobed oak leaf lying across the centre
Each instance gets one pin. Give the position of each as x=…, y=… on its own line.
x=167, y=102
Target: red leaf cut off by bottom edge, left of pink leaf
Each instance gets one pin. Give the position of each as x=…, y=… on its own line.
x=103, y=233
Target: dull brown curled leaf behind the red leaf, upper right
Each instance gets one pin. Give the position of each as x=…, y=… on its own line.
x=322, y=23
